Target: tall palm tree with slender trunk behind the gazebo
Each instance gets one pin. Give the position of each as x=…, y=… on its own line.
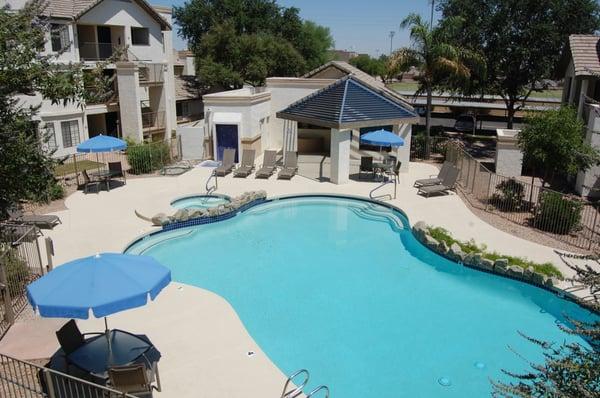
x=441, y=64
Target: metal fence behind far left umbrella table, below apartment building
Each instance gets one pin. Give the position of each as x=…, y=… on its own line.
x=138, y=159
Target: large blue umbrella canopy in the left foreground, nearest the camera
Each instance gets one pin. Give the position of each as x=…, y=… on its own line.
x=105, y=283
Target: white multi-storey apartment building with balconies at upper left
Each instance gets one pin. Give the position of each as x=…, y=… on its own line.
x=89, y=31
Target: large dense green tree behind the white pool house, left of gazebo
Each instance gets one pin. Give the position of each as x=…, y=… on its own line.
x=245, y=41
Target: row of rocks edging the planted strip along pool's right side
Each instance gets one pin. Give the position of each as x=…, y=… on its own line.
x=500, y=267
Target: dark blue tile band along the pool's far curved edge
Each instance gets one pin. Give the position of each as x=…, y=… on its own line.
x=561, y=293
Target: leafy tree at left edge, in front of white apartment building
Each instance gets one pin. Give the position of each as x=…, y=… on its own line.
x=26, y=170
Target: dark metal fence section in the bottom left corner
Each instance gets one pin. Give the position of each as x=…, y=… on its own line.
x=25, y=379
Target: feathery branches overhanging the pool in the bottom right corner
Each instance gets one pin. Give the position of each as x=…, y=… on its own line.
x=570, y=369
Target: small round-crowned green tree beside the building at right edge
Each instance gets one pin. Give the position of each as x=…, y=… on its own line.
x=553, y=142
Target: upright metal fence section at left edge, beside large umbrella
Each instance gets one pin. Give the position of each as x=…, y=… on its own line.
x=20, y=264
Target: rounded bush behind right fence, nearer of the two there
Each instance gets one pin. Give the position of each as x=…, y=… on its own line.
x=557, y=213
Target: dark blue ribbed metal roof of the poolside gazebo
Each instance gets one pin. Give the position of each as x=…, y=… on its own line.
x=348, y=103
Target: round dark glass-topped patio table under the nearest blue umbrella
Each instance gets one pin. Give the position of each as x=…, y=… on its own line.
x=95, y=358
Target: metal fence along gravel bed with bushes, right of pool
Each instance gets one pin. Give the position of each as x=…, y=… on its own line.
x=564, y=217
